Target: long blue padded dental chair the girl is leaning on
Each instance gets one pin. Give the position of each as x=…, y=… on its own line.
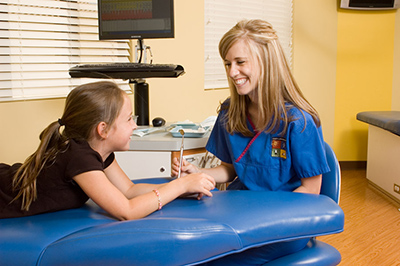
x=184, y=232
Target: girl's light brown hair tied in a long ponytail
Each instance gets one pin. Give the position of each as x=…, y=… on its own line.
x=85, y=107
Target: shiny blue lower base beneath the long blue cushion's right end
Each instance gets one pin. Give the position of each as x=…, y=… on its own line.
x=315, y=253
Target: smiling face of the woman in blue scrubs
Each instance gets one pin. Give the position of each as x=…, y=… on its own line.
x=241, y=69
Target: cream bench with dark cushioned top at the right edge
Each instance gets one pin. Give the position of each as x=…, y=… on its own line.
x=383, y=158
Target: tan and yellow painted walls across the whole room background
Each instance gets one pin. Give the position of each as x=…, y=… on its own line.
x=329, y=45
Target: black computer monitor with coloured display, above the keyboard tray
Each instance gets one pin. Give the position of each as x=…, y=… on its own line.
x=135, y=19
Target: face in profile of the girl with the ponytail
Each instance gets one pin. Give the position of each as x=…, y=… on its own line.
x=121, y=131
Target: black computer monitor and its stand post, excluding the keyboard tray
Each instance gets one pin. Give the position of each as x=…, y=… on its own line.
x=137, y=19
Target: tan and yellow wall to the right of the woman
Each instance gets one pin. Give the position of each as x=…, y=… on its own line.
x=346, y=62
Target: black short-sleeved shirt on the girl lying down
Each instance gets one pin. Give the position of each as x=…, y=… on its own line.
x=56, y=189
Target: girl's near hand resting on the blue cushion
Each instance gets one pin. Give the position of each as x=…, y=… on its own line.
x=197, y=183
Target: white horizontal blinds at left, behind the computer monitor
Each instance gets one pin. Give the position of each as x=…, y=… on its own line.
x=41, y=40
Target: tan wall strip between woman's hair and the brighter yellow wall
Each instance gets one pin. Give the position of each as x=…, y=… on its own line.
x=314, y=53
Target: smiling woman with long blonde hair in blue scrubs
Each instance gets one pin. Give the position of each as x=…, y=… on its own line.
x=266, y=134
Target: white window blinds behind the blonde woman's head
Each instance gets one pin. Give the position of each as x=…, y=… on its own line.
x=221, y=15
